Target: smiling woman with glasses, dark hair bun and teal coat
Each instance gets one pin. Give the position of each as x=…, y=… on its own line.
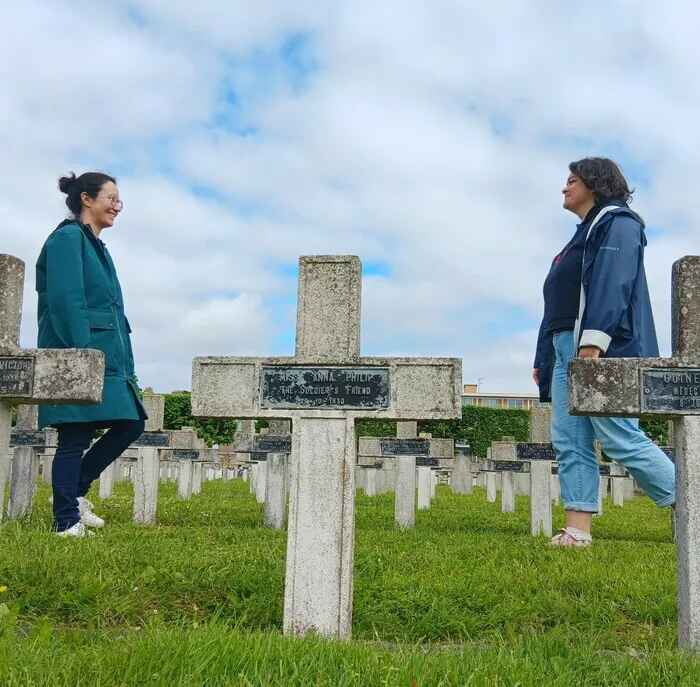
x=81, y=306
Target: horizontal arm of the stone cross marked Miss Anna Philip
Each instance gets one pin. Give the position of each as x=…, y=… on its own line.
x=398, y=388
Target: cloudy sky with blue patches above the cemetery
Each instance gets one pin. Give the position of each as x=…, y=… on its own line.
x=430, y=138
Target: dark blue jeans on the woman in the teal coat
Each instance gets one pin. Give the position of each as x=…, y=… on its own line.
x=73, y=472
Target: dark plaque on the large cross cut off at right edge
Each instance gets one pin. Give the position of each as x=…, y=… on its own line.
x=673, y=390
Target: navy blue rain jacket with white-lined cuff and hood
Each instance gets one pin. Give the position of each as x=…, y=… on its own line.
x=615, y=312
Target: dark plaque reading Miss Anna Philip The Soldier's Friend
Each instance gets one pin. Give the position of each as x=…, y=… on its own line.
x=324, y=387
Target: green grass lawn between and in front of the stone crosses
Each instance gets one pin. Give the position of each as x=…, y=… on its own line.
x=466, y=598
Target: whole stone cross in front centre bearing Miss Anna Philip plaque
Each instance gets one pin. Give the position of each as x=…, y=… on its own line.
x=323, y=389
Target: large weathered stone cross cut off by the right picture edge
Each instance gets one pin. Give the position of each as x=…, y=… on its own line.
x=662, y=388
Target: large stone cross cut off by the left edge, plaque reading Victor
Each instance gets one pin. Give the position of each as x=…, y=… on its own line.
x=33, y=376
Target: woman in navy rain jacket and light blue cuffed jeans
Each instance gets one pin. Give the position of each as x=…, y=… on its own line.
x=597, y=304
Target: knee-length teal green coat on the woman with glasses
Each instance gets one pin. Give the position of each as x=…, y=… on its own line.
x=81, y=306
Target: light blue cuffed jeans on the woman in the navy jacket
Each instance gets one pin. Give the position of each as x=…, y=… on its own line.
x=620, y=438
